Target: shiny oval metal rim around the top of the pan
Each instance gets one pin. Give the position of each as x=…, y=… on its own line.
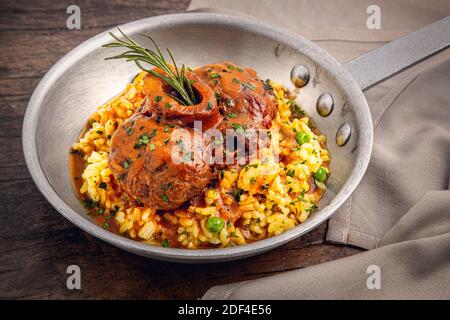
x=306, y=47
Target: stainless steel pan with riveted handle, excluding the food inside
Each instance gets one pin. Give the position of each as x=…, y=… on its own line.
x=82, y=80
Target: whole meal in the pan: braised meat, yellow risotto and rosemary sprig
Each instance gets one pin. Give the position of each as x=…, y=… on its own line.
x=140, y=170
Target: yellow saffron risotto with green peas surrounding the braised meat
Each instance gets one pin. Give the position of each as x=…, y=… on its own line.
x=259, y=200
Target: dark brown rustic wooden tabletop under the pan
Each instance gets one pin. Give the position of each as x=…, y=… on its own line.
x=36, y=243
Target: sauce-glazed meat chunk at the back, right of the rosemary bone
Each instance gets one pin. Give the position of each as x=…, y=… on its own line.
x=244, y=99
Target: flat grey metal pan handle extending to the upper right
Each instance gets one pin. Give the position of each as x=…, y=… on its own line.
x=384, y=62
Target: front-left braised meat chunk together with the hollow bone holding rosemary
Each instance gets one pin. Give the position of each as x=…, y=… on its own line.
x=143, y=147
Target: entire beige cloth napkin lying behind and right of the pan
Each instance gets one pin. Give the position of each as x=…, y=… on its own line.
x=397, y=206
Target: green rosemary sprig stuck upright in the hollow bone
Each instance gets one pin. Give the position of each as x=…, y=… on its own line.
x=138, y=54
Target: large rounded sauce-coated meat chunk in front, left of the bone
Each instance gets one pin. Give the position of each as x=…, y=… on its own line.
x=141, y=159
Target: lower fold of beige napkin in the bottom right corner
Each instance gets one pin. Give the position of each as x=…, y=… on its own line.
x=413, y=263
